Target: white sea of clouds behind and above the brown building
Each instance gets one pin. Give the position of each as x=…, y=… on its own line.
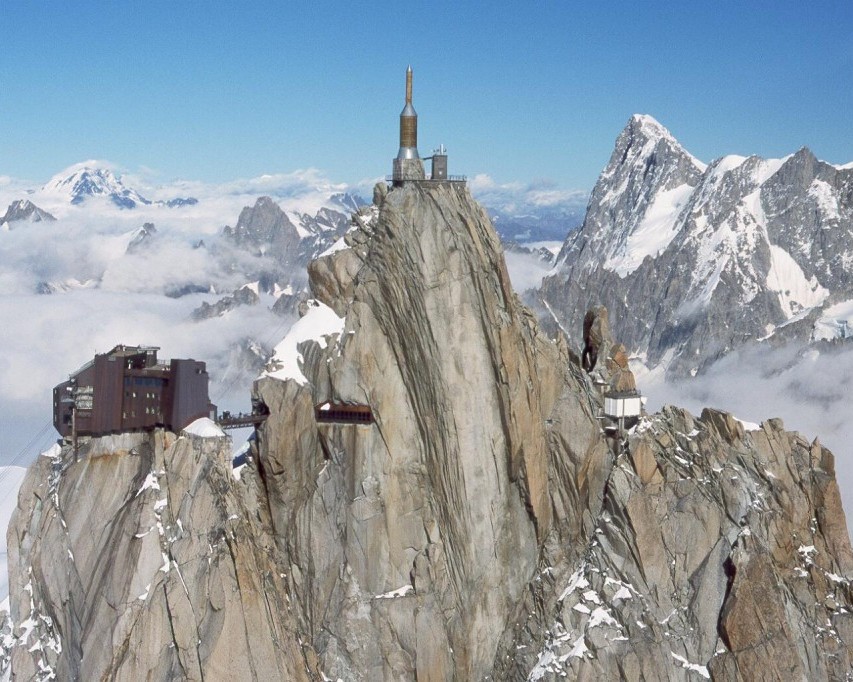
x=105, y=296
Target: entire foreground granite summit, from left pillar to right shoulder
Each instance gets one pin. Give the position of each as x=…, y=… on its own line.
x=435, y=494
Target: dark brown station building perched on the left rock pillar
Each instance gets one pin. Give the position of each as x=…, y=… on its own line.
x=127, y=389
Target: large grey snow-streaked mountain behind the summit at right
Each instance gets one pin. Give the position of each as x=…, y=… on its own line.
x=694, y=260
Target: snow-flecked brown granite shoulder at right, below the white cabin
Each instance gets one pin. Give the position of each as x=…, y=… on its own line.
x=716, y=554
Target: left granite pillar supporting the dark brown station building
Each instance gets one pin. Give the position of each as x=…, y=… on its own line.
x=146, y=560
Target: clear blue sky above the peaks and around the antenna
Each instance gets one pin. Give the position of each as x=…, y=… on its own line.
x=522, y=91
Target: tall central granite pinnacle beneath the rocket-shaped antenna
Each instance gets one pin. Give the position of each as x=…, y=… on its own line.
x=429, y=520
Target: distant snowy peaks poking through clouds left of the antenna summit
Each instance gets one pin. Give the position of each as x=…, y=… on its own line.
x=268, y=244
